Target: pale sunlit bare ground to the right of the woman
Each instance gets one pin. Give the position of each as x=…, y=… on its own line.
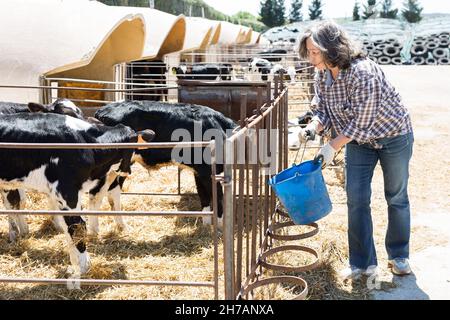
x=425, y=92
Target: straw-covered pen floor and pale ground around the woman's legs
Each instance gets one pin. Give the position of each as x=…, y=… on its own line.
x=157, y=248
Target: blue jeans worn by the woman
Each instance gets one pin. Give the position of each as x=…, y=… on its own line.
x=360, y=162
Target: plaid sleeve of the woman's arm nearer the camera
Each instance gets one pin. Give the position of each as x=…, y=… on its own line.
x=365, y=98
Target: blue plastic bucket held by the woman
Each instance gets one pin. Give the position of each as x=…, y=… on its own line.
x=302, y=191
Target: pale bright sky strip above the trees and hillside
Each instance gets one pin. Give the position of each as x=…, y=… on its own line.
x=331, y=8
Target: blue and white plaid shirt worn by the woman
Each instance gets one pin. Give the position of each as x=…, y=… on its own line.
x=360, y=103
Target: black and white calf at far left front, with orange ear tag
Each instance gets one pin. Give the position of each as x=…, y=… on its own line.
x=64, y=174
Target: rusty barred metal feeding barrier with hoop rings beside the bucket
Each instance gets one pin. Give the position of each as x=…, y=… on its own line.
x=251, y=215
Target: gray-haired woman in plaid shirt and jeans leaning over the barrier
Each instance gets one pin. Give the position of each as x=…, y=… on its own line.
x=353, y=96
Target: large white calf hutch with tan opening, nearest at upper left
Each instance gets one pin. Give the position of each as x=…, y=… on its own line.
x=48, y=36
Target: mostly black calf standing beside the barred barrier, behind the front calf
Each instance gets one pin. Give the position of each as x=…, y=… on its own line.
x=164, y=119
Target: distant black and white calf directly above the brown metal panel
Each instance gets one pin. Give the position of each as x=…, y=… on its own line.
x=210, y=71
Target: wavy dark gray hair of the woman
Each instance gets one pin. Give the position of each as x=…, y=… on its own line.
x=334, y=43
